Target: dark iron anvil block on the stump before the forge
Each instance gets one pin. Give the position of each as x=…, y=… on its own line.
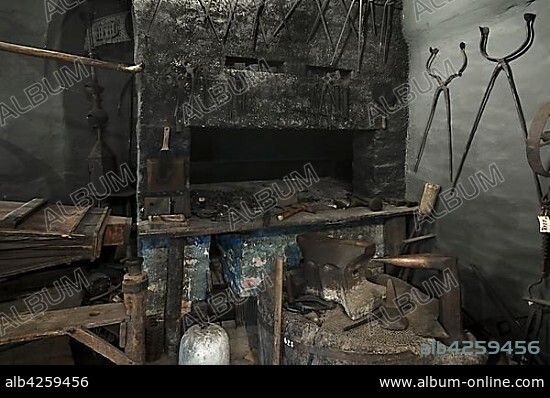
x=338, y=270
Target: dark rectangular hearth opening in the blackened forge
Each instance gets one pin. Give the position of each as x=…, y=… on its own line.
x=234, y=155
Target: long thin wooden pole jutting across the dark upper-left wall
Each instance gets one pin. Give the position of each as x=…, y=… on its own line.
x=66, y=57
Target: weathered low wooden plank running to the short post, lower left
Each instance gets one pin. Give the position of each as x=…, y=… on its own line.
x=60, y=322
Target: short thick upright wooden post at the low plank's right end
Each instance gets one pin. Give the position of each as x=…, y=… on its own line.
x=134, y=287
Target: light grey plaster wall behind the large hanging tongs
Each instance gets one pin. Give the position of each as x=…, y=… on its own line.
x=498, y=230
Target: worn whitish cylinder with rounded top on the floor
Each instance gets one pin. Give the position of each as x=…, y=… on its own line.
x=206, y=344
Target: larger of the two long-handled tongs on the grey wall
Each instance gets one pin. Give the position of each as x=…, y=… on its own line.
x=503, y=64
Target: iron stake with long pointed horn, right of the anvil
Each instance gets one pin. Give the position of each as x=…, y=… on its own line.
x=450, y=307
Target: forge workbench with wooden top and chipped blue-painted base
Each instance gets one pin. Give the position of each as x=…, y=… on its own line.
x=177, y=254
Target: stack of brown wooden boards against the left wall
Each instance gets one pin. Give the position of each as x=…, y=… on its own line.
x=31, y=240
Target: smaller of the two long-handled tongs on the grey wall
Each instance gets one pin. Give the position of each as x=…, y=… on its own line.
x=443, y=88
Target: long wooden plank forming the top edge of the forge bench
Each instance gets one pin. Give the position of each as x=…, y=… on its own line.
x=334, y=217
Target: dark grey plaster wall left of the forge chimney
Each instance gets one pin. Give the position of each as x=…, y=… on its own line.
x=43, y=153
